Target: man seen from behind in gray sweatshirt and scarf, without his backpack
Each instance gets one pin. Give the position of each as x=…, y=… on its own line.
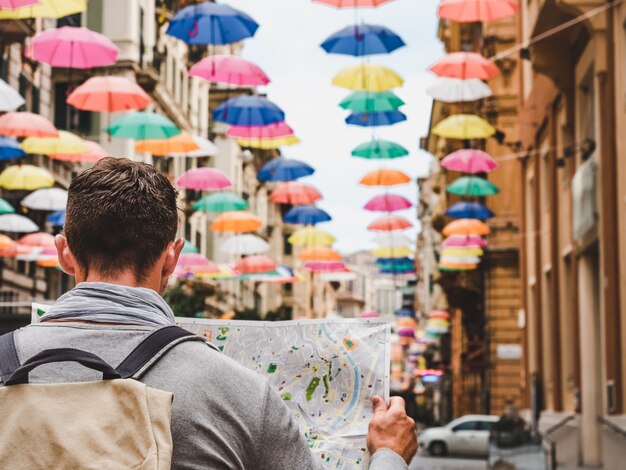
x=120, y=245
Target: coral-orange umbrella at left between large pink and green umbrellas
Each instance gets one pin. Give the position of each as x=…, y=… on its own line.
x=109, y=94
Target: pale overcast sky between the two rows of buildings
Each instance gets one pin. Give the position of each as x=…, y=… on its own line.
x=286, y=46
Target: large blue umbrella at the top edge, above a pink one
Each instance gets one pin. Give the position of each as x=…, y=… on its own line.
x=211, y=23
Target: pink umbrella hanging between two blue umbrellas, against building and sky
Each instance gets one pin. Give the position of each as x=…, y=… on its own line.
x=229, y=69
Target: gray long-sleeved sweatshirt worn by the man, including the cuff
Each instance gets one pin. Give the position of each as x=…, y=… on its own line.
x=224, y=415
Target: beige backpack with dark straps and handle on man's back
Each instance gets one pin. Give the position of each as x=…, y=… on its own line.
x=116, y=423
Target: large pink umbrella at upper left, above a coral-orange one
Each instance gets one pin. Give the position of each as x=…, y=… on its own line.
x=74, y=47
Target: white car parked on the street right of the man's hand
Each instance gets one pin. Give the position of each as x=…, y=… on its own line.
x=467, y=435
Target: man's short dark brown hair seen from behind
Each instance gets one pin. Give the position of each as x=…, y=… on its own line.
x=120, y=215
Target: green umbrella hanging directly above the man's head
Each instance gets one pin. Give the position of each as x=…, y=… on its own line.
x=142, y=125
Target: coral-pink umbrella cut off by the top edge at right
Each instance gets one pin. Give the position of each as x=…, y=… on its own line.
x=469, y=11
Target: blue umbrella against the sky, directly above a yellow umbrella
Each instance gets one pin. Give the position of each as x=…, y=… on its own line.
x=365, y=39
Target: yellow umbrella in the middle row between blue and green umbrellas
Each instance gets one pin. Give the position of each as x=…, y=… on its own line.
x=368, y=77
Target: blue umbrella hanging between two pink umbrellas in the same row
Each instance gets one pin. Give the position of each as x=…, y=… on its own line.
x=248, y=111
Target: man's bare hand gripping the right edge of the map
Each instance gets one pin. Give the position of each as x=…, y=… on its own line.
x=391, y=428
